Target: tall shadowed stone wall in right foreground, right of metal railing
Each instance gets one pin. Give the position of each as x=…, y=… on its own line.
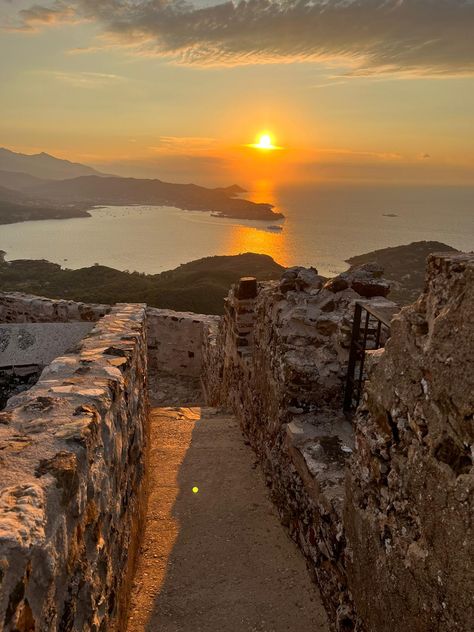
x=410, y=490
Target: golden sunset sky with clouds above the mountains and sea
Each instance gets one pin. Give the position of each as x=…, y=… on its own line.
x=350, y=90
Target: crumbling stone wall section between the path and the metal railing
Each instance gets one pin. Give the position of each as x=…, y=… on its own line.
x=278, y=360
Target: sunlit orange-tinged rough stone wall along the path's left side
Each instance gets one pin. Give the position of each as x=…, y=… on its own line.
x=72, y=461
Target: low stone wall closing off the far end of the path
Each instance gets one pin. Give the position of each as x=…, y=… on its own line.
x=175, y=340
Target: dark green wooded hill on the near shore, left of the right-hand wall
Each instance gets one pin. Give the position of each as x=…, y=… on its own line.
x=199, y=286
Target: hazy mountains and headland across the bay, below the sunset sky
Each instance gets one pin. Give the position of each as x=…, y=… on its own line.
x=25, y=196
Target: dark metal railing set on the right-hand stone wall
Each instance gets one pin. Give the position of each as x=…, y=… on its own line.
x=370, y=331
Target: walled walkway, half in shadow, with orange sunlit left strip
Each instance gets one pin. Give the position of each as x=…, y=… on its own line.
x=217, y=560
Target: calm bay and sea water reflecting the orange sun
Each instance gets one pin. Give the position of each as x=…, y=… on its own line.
x=323, y=227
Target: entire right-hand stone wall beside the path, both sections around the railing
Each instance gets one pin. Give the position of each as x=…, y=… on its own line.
x=384, y=517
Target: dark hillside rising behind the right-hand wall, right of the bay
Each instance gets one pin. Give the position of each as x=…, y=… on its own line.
x=404, y=266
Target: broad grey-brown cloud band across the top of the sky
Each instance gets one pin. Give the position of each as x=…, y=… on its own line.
x=367, y=37
